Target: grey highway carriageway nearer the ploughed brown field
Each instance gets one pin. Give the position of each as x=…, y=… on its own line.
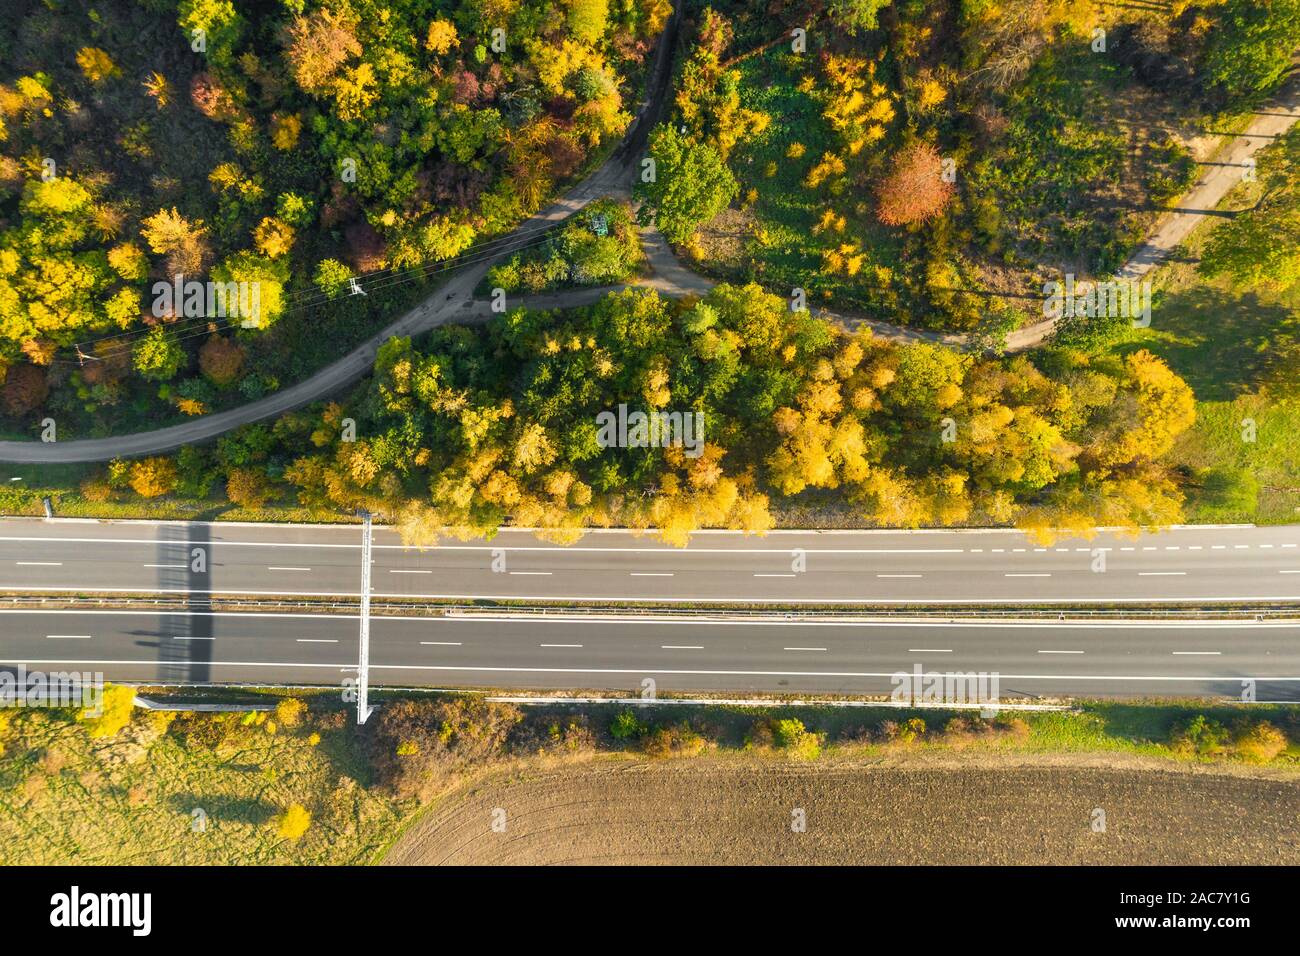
x=496, y=651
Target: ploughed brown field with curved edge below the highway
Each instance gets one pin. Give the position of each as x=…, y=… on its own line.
x=986, y=808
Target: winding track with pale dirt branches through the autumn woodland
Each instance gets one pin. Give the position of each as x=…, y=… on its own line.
x=456, y=301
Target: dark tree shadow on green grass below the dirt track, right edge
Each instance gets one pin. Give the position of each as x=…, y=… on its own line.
x=1216, y=341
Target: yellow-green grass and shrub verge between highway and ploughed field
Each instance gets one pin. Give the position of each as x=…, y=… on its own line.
x=245, y=772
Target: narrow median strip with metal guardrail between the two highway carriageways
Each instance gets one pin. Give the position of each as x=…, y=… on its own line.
x=1245, y=612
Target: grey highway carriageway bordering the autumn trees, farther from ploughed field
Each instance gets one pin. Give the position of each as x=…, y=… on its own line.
x=1208, y=565
